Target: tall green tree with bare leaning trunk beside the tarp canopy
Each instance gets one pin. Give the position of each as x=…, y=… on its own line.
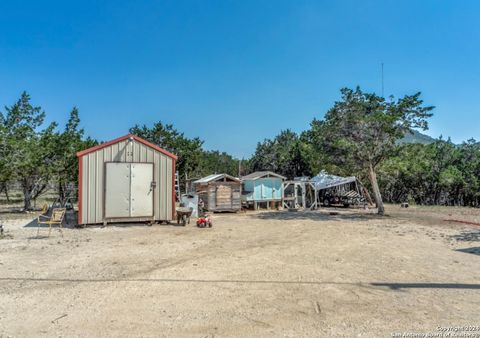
x=362, y=129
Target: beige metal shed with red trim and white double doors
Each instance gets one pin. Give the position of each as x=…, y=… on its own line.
x=126, y=180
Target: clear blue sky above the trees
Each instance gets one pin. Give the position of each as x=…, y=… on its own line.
x=236, y=72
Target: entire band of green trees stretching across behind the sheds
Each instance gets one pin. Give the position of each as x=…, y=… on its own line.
x=360, y=135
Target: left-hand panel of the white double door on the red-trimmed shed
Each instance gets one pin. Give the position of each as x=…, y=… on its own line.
x=117, y=190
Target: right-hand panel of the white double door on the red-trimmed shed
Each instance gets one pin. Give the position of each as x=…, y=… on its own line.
x=141, y=193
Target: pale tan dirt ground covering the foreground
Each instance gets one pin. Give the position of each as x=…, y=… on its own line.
x=271, y=273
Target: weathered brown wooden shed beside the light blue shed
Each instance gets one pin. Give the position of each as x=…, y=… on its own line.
x=219, y=192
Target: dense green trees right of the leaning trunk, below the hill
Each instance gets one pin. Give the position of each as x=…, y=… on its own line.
x=437, y=173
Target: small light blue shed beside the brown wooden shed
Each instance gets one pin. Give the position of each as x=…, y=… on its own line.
x=262, y=187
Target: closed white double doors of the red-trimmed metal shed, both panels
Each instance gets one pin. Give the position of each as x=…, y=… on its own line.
x=128, y=190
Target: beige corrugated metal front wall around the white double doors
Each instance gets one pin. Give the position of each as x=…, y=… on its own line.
x=125, y=151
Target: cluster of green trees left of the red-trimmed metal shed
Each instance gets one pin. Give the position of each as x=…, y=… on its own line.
x=36, y=155
